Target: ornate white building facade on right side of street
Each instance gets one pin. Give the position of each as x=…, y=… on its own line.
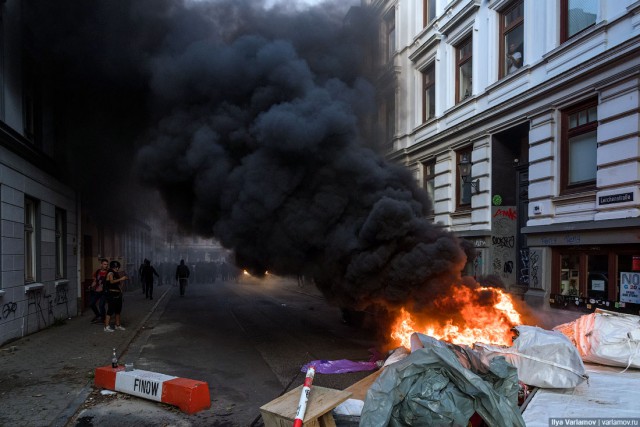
x=521, y=120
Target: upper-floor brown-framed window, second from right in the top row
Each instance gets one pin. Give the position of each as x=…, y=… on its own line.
x=512, y=38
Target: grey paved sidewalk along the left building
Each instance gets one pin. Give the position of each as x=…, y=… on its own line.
x=46, y=376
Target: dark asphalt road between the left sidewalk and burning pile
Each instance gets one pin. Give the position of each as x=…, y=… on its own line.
x=248, y=340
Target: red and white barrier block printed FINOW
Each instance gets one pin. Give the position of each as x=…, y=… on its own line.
x=190, y=396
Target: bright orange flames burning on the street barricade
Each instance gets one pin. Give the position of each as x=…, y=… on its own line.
x=478, y=323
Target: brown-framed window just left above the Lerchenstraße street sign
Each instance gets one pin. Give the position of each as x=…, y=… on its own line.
x=579, y=147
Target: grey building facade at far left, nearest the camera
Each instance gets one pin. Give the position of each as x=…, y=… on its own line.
x=38, y=210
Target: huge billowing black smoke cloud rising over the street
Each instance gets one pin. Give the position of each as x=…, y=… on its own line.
x=248, y=122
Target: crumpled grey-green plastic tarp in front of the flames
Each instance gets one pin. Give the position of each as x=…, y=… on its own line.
x=443, y=385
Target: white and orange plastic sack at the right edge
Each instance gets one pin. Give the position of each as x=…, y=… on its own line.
x=606, y=337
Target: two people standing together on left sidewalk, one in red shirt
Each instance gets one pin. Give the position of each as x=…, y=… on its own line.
x=106, y=295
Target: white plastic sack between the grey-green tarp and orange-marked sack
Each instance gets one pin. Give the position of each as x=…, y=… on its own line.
x=543, y=358
